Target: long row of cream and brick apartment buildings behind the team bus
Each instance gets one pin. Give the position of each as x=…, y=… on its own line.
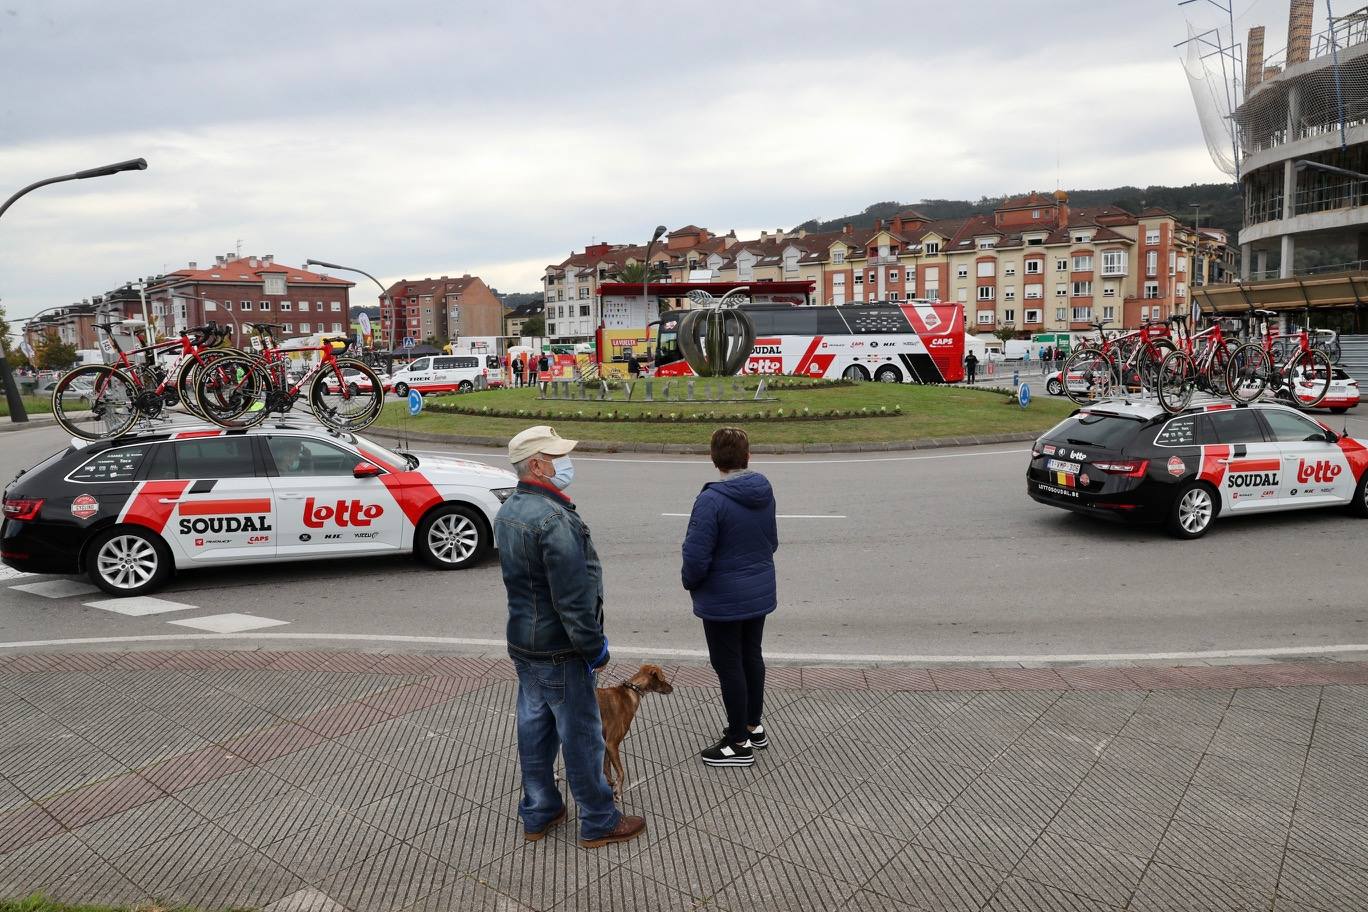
x=1034, y=265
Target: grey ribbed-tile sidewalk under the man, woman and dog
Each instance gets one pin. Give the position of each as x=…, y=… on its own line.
x=317, y=781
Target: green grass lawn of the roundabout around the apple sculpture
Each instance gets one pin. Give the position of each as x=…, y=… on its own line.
x=928, y=412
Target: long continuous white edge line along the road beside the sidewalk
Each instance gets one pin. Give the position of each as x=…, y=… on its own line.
x=879, y=658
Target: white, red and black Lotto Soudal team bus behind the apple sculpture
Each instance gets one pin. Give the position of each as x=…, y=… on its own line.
x=897, y=343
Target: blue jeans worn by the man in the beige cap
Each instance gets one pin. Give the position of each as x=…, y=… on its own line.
x=557, y=710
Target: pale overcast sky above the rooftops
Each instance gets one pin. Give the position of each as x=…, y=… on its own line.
x=423, y=139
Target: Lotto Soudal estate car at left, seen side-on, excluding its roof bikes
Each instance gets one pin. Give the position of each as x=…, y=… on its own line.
x=129, y=512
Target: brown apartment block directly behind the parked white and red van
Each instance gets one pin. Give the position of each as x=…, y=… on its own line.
x=443, y=308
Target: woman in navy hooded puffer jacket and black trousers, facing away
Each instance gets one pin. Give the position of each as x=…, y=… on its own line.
x=730, y=572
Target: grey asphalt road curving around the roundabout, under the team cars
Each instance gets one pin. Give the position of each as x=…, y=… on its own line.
x=932, y=553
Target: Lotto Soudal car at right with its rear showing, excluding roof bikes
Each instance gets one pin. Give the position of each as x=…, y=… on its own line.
x=1135, y=461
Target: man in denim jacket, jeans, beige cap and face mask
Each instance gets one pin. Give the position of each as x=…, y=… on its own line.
x=557, y=643
